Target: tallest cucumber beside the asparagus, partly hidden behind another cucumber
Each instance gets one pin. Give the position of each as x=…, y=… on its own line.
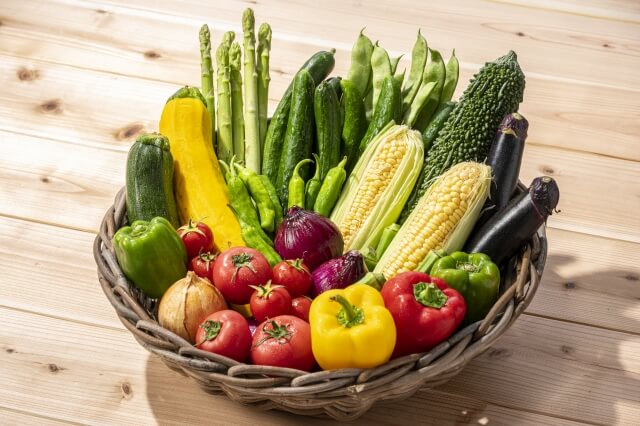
x=319, y=66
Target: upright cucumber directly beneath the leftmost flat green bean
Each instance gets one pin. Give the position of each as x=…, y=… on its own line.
x=355, y=122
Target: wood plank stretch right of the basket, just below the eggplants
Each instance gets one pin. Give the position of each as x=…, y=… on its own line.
x=590, y=280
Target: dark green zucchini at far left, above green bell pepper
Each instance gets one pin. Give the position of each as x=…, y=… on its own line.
x=149, y=180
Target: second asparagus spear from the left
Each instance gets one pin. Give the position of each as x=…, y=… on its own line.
x=225, y=133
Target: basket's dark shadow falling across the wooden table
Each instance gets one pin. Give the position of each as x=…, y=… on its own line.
x=533, y=369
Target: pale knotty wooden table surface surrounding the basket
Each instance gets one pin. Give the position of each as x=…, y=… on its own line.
x=80, y=79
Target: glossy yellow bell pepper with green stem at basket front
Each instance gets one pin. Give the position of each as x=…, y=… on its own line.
x=351, y=328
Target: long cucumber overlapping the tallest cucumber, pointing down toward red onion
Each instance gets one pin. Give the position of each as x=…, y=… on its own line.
x=298, y=139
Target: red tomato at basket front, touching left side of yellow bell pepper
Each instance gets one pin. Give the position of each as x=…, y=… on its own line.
x=283, y=341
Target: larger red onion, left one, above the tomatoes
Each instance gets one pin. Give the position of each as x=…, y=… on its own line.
x=309, y=236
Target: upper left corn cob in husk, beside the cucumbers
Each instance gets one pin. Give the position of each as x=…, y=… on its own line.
x=379, y=186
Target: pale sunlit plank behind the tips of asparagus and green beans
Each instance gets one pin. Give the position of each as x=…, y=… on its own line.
x=495, y=28
